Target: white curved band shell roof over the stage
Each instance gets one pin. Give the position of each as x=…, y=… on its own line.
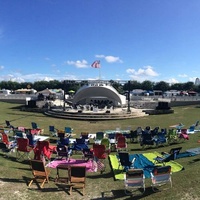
x=98, y=91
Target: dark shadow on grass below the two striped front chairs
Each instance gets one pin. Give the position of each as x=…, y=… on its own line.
x=118, y=194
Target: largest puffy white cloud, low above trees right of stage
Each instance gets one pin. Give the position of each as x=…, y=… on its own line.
x=142, y=74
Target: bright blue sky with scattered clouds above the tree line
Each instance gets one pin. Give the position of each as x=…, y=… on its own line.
x=156, y=40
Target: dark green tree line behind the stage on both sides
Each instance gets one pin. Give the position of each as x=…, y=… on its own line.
x=120, y=86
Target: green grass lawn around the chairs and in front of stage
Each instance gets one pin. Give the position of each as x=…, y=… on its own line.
x=14, y=175
